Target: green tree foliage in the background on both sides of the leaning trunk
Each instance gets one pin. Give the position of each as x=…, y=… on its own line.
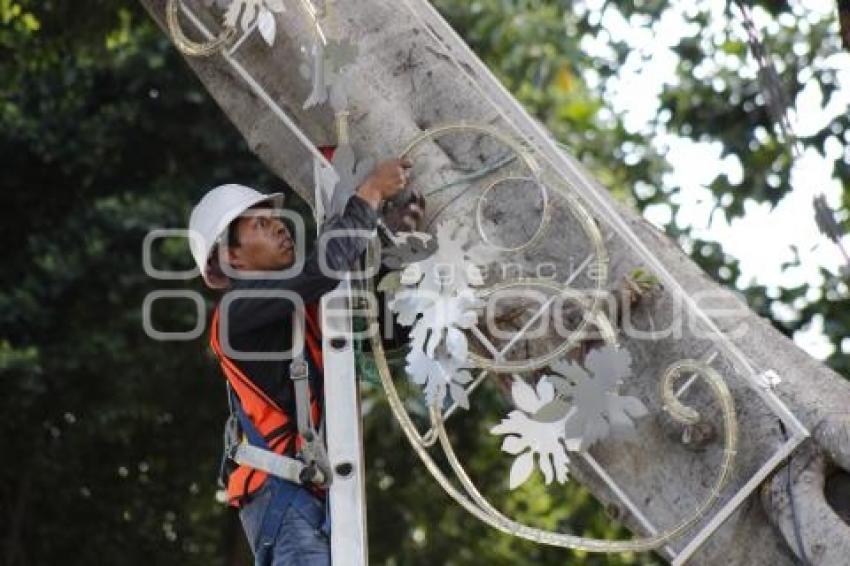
x=111, y=440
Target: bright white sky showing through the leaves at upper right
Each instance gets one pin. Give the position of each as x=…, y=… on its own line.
x=762, y=238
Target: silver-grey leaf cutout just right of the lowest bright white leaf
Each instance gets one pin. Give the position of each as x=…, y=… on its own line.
x=594, y=409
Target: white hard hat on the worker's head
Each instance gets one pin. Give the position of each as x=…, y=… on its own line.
x=214, y=213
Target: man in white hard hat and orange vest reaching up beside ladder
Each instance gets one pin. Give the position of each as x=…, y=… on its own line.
x=265, y=332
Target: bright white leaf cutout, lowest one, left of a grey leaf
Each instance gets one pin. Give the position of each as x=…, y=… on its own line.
x=529, y=439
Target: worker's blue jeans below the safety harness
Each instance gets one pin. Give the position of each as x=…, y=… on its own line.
x=300, y=541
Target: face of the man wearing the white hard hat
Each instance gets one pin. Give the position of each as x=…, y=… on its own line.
x=265, y=243
